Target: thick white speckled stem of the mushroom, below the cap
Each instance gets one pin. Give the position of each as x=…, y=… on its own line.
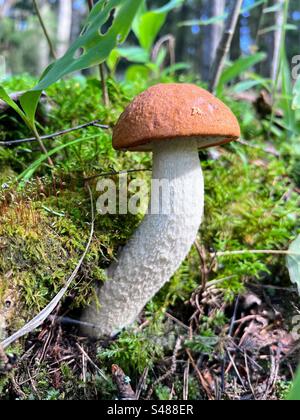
x=159, y=245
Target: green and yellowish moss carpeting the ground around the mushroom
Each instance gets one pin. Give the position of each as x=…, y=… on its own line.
x=250, y=204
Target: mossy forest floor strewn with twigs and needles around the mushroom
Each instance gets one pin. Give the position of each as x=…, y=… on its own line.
x=225, y=327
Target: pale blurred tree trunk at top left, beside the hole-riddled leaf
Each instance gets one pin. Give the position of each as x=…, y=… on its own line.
x=64, y=26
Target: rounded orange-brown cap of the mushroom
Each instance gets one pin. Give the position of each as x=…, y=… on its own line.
x=171, y=111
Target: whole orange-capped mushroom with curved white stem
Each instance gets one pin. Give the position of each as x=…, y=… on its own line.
x=173, y=121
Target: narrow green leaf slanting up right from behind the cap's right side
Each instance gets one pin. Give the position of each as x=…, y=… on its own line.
x=239, y=67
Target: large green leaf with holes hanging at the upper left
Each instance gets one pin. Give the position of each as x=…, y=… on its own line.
x=92, y=46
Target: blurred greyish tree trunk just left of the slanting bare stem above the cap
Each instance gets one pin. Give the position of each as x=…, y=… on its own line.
x=212, y=35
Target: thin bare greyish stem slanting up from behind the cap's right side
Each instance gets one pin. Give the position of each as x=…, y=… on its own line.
x=225, y=45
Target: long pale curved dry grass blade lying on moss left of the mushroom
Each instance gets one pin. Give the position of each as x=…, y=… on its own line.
x=44, y=314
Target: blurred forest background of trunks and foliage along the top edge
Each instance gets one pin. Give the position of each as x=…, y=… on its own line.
x=196, y=27
